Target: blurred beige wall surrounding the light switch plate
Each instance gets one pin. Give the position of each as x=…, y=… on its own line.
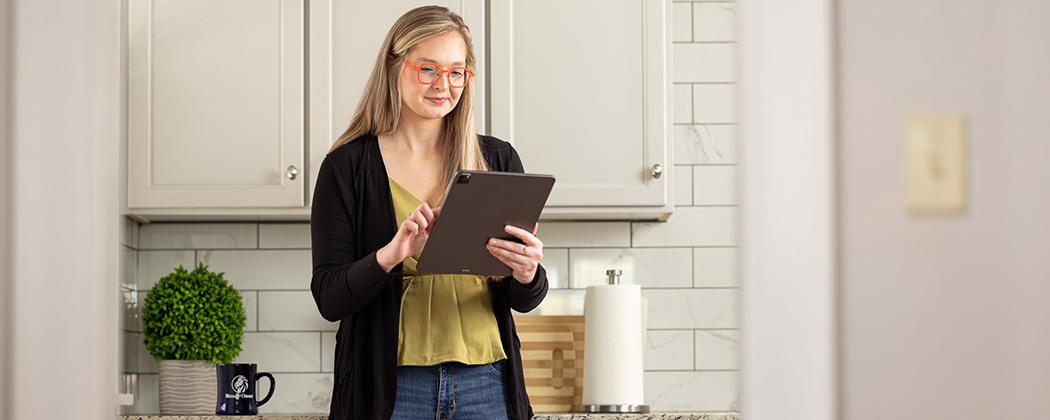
x=946, y=318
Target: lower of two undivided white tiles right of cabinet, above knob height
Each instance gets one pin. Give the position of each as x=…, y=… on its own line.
x=705, y=144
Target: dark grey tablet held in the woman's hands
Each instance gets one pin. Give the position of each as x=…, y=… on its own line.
x=477, y=206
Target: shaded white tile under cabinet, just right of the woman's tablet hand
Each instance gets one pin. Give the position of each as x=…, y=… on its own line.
x=566, y=235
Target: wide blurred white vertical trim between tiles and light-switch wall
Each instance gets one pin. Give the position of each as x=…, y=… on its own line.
x=788, y=266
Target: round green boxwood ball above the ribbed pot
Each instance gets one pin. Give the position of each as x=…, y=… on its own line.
x=194, y=317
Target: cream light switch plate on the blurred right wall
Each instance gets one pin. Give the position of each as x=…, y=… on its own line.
x=935, y=164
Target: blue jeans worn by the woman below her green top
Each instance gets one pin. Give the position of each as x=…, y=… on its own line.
x=451, y=391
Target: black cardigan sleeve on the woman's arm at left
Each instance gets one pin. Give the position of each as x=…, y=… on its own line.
x=342, y=285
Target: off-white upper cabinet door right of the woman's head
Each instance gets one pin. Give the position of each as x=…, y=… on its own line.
x=581, y=90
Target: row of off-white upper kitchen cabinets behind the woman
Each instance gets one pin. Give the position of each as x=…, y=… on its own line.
x=233, y=106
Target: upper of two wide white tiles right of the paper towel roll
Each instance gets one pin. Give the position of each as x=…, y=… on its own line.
x=691, y=309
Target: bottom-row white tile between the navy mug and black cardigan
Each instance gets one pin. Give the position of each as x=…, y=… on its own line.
x=298, y=394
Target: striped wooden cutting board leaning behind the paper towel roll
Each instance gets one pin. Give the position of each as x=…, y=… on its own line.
x=553, y=359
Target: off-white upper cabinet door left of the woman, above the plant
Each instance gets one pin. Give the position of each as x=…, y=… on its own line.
x=216, y=103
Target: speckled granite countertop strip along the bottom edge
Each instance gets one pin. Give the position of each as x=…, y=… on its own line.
x=570, y=416
